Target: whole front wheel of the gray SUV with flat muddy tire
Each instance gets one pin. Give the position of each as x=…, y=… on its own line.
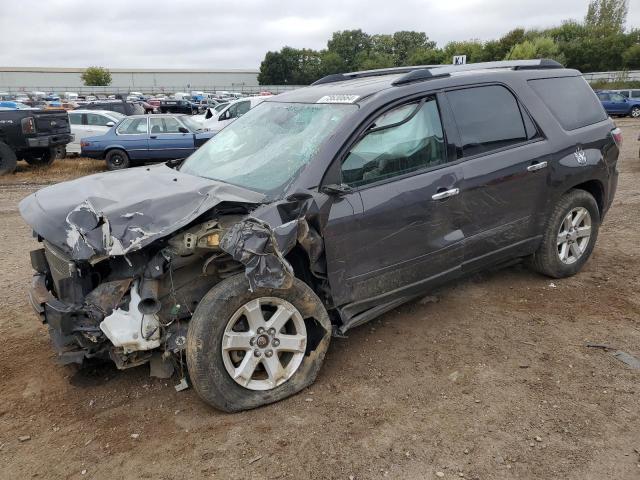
x=247, y=349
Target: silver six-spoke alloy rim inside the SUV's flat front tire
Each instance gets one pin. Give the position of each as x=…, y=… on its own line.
x=264, y=343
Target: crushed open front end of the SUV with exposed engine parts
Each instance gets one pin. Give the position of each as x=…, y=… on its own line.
x=124, y=307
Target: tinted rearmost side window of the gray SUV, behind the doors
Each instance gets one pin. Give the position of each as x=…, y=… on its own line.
x=571, y=100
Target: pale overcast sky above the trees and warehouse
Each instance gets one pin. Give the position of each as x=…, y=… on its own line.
x=237, y=34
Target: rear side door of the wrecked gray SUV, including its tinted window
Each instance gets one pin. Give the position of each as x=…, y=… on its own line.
x=505, y=172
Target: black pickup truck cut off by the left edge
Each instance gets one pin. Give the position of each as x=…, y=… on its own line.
x=37, y=136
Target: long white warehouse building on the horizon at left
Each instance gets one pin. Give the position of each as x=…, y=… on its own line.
x=147, y=80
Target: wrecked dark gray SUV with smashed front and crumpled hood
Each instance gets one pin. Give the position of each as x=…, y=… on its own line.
x=317, y=211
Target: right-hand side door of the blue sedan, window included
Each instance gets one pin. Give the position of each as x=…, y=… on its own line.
x=166, y=141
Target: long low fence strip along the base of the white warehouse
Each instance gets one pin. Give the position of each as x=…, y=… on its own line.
x=153, y=90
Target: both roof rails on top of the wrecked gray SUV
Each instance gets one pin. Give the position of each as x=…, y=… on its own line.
x=424, y=72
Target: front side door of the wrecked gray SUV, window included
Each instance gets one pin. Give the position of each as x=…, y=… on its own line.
x=398, y=231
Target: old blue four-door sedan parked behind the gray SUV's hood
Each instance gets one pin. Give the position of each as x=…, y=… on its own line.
x=146, y=138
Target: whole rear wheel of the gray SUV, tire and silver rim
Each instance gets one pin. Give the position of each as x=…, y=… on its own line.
x=565, y=247
